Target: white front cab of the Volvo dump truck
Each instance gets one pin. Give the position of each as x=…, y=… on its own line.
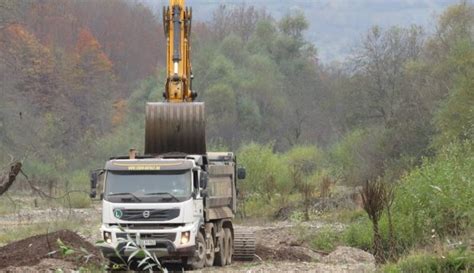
x=157, y=202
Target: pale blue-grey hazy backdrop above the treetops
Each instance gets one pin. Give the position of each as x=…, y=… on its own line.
x=335, y=25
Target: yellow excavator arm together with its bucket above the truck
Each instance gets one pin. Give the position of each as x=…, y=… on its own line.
x=178, y=123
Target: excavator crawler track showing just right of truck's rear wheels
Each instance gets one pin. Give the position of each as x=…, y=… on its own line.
x=244, y=245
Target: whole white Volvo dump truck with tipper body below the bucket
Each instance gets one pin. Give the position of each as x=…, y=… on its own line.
x=169, y=205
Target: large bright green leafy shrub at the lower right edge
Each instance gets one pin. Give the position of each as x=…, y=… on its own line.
x=438, y=195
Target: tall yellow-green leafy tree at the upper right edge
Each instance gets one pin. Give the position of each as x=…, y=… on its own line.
x=455, y=118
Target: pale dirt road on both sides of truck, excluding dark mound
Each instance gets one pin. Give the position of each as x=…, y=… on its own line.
x=279, y=248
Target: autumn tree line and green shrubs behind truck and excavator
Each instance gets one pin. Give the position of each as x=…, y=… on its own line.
x=75, y=77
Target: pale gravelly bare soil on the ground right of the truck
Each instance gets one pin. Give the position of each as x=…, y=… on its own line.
x=280, y=249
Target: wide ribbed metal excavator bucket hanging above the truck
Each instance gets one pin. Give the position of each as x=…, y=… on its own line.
x=175, y=127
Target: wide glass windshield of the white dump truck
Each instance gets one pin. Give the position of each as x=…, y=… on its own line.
x=142, y=186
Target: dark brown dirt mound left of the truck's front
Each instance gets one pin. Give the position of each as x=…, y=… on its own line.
x=32, y=250
